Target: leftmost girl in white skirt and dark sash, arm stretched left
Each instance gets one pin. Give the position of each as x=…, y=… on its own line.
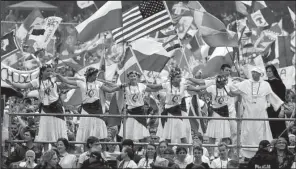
x=50, y=127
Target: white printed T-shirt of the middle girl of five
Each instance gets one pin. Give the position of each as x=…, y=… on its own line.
x=135, y=95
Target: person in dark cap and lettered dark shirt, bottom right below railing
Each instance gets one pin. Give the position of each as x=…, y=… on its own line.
x=263, y=157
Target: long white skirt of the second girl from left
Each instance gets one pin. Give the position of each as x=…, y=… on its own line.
x=91, y=126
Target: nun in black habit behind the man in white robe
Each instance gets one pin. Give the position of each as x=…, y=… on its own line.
x=278, y=87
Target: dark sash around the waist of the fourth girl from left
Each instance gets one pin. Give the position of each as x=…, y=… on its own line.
x=175, y=111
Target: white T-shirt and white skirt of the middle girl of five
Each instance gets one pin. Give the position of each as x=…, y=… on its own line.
x=134, y=98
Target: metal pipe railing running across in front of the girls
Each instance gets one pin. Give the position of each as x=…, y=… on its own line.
x=124, y=116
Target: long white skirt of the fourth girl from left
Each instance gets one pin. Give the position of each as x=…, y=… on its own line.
x=175, y=129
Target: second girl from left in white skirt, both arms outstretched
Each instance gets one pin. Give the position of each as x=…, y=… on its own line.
x=90, y=89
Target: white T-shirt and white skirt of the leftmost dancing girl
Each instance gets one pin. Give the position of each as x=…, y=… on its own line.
x=50, y=128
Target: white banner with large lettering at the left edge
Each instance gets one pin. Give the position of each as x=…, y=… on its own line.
x=18, y=76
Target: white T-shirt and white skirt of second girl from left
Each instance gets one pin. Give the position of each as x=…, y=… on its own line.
x=90, y=126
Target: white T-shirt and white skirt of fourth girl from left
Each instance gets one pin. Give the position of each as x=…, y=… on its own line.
x=174, y=128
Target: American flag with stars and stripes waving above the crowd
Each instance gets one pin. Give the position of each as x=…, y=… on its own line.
x=146, y=18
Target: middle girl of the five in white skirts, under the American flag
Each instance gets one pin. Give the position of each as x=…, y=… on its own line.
x=135, y=93
